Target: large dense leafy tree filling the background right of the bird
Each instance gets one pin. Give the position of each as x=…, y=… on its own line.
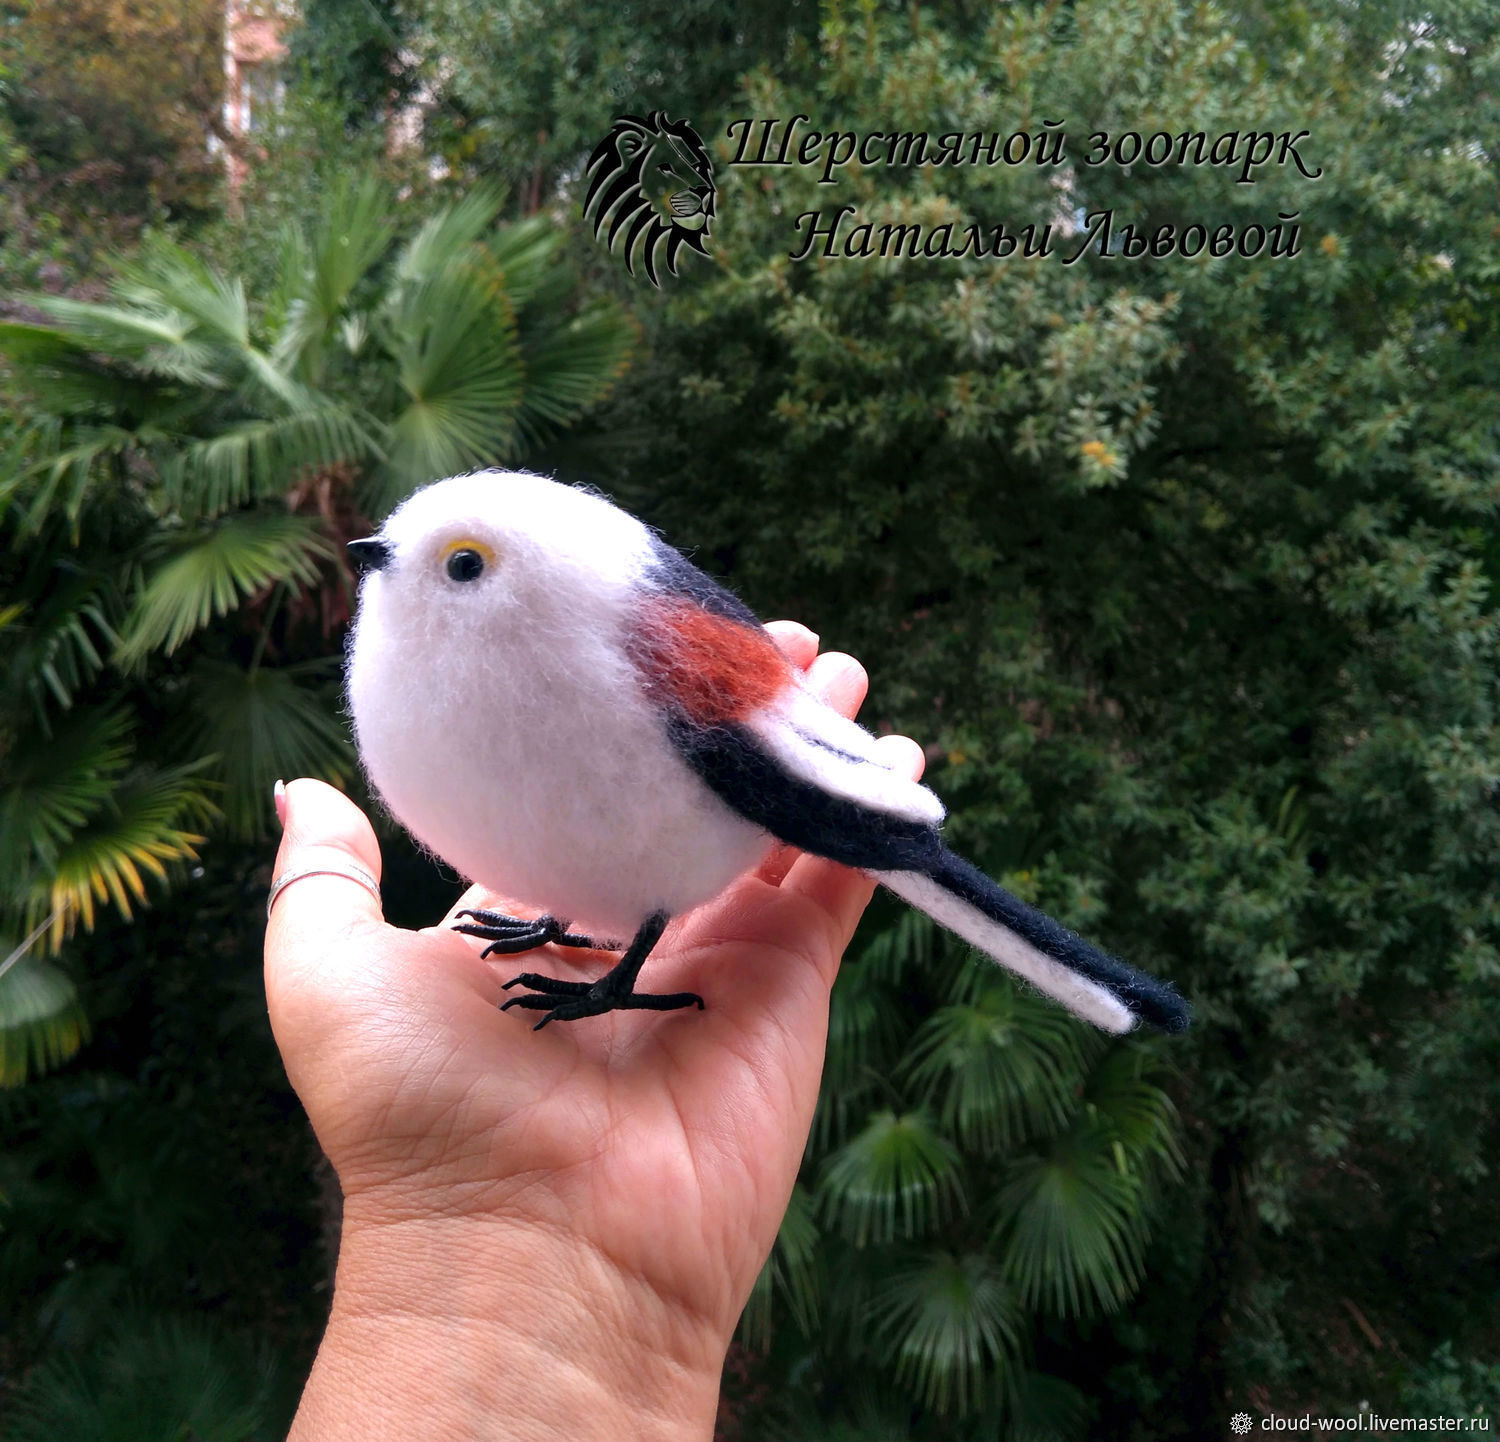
x=1186, y=568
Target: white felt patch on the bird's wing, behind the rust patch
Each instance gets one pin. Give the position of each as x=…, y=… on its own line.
x=820, y=747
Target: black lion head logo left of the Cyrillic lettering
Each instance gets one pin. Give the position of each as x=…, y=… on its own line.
x=652, y=182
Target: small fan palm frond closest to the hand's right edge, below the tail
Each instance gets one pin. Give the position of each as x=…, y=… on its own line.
x=899, y=1179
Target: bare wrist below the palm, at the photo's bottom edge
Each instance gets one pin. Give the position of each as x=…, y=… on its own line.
x=479, y=1330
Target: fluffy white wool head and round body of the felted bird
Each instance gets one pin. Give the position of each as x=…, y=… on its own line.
x=506, y=727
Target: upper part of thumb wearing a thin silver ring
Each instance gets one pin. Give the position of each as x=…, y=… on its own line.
x=325, y=838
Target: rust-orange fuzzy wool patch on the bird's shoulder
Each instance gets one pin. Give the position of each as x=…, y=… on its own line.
x=704, y=665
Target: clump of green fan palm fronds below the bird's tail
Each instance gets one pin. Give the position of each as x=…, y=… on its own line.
x=946, y=1221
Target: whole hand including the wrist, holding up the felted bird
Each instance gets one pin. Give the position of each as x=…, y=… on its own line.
x=550, y=1234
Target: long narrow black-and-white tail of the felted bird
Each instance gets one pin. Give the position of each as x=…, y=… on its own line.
x=1090, y=982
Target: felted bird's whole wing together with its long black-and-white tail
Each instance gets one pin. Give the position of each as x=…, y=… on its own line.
x=784, y=760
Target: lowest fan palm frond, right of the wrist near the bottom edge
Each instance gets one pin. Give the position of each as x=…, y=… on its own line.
x=952, y=1326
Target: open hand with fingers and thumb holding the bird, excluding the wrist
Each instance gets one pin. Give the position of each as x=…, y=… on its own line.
x=650, y=1158
